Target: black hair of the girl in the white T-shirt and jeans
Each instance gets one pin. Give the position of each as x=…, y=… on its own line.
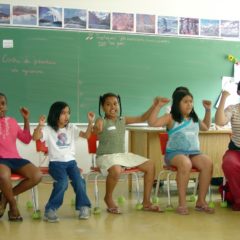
x=54, y=114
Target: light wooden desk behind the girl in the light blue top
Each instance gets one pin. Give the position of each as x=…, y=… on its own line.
x=144, y=141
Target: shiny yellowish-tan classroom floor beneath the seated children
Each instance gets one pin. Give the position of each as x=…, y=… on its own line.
x=132, y=224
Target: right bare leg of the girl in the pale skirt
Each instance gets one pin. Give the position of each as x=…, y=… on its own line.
x=149, y=171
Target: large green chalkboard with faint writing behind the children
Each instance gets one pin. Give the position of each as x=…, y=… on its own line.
x=50, y=65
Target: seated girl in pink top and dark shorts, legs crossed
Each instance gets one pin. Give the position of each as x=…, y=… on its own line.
x=11, y=161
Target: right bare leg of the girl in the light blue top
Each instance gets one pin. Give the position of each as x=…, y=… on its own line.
x=205, y=166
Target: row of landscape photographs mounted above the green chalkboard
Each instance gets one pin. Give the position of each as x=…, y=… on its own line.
x=81, y=19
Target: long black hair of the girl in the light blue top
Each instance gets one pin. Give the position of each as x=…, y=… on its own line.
x=175, y=109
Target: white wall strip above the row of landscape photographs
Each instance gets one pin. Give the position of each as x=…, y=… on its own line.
x=228, y=10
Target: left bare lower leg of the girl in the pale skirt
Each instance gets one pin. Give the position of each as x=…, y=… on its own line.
x=112, y=179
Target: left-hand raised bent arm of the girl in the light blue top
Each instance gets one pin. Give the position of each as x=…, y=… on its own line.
x=153, y=119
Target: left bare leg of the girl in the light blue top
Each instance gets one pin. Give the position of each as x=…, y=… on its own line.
x=183, y=165
